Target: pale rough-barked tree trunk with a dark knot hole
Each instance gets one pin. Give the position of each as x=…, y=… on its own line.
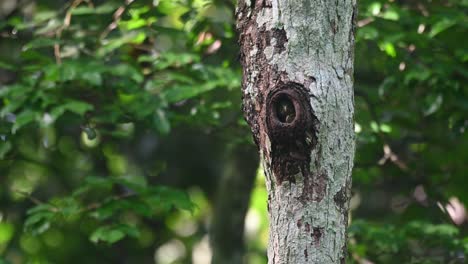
x=297, y=58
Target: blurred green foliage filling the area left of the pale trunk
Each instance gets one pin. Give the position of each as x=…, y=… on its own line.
x=94, y=84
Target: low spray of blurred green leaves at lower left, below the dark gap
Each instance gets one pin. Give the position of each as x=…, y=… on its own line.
x=139, y=199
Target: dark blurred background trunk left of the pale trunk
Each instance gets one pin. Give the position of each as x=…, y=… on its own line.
x=231, y=205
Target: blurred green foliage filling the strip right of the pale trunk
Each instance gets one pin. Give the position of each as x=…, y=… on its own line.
x=410, y=95
